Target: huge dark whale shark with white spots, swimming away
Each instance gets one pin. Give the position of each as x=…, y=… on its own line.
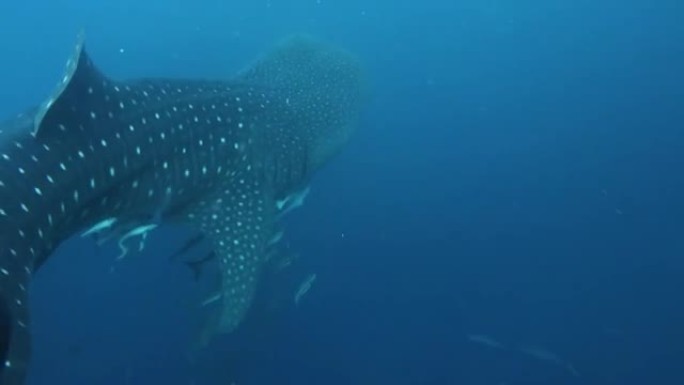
x=215, y=154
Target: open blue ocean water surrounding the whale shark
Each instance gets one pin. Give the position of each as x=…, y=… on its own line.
x=509, y=211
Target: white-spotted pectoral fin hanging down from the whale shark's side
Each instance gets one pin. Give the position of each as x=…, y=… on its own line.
x=238, y=223
